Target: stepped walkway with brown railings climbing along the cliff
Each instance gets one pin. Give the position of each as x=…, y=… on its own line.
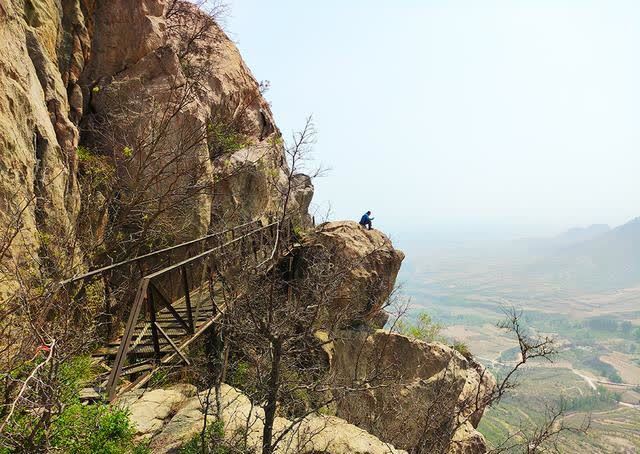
x=176, y=304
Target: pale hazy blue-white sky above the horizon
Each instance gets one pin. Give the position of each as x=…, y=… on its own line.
x=472, y=113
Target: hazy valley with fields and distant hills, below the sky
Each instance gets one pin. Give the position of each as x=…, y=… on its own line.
x=581, y=287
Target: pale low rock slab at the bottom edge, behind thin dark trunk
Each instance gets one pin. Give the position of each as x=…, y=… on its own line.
x=171, y=417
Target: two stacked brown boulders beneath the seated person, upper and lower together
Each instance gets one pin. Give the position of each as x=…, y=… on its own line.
x=419, y=394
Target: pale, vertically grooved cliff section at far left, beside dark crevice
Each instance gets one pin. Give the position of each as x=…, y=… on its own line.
x=43, y=45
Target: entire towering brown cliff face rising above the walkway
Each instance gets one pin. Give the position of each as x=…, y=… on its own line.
x=107, y=75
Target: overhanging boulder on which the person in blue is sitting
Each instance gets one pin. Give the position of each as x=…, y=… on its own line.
x=372, y=263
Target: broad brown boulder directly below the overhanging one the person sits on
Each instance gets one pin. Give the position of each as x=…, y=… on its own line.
x=419, y=393
